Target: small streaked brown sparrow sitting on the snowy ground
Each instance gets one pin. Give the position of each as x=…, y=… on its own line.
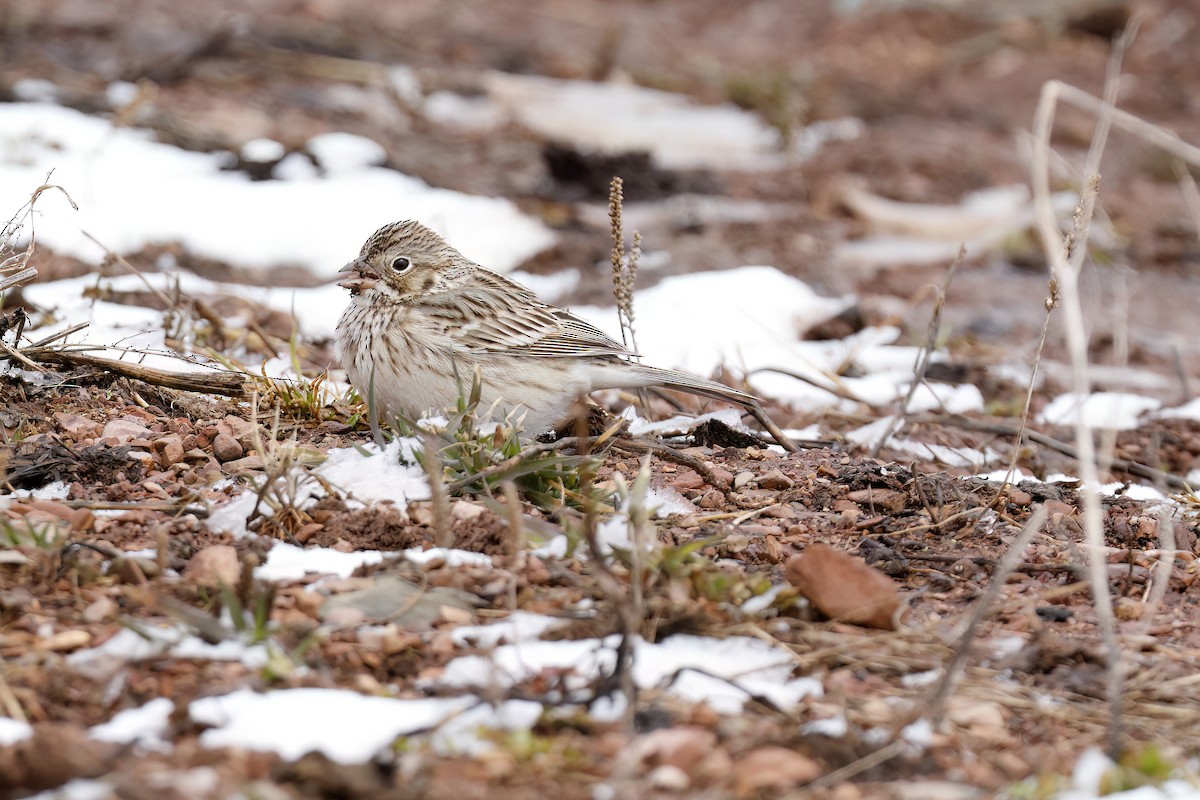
x=424, y=321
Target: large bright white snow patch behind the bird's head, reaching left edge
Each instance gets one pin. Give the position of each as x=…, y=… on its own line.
x=134, y=193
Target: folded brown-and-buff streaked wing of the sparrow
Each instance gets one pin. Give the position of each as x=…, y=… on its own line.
x=495, y=315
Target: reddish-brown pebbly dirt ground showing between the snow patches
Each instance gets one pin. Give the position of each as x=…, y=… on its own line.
x=947, y=94
